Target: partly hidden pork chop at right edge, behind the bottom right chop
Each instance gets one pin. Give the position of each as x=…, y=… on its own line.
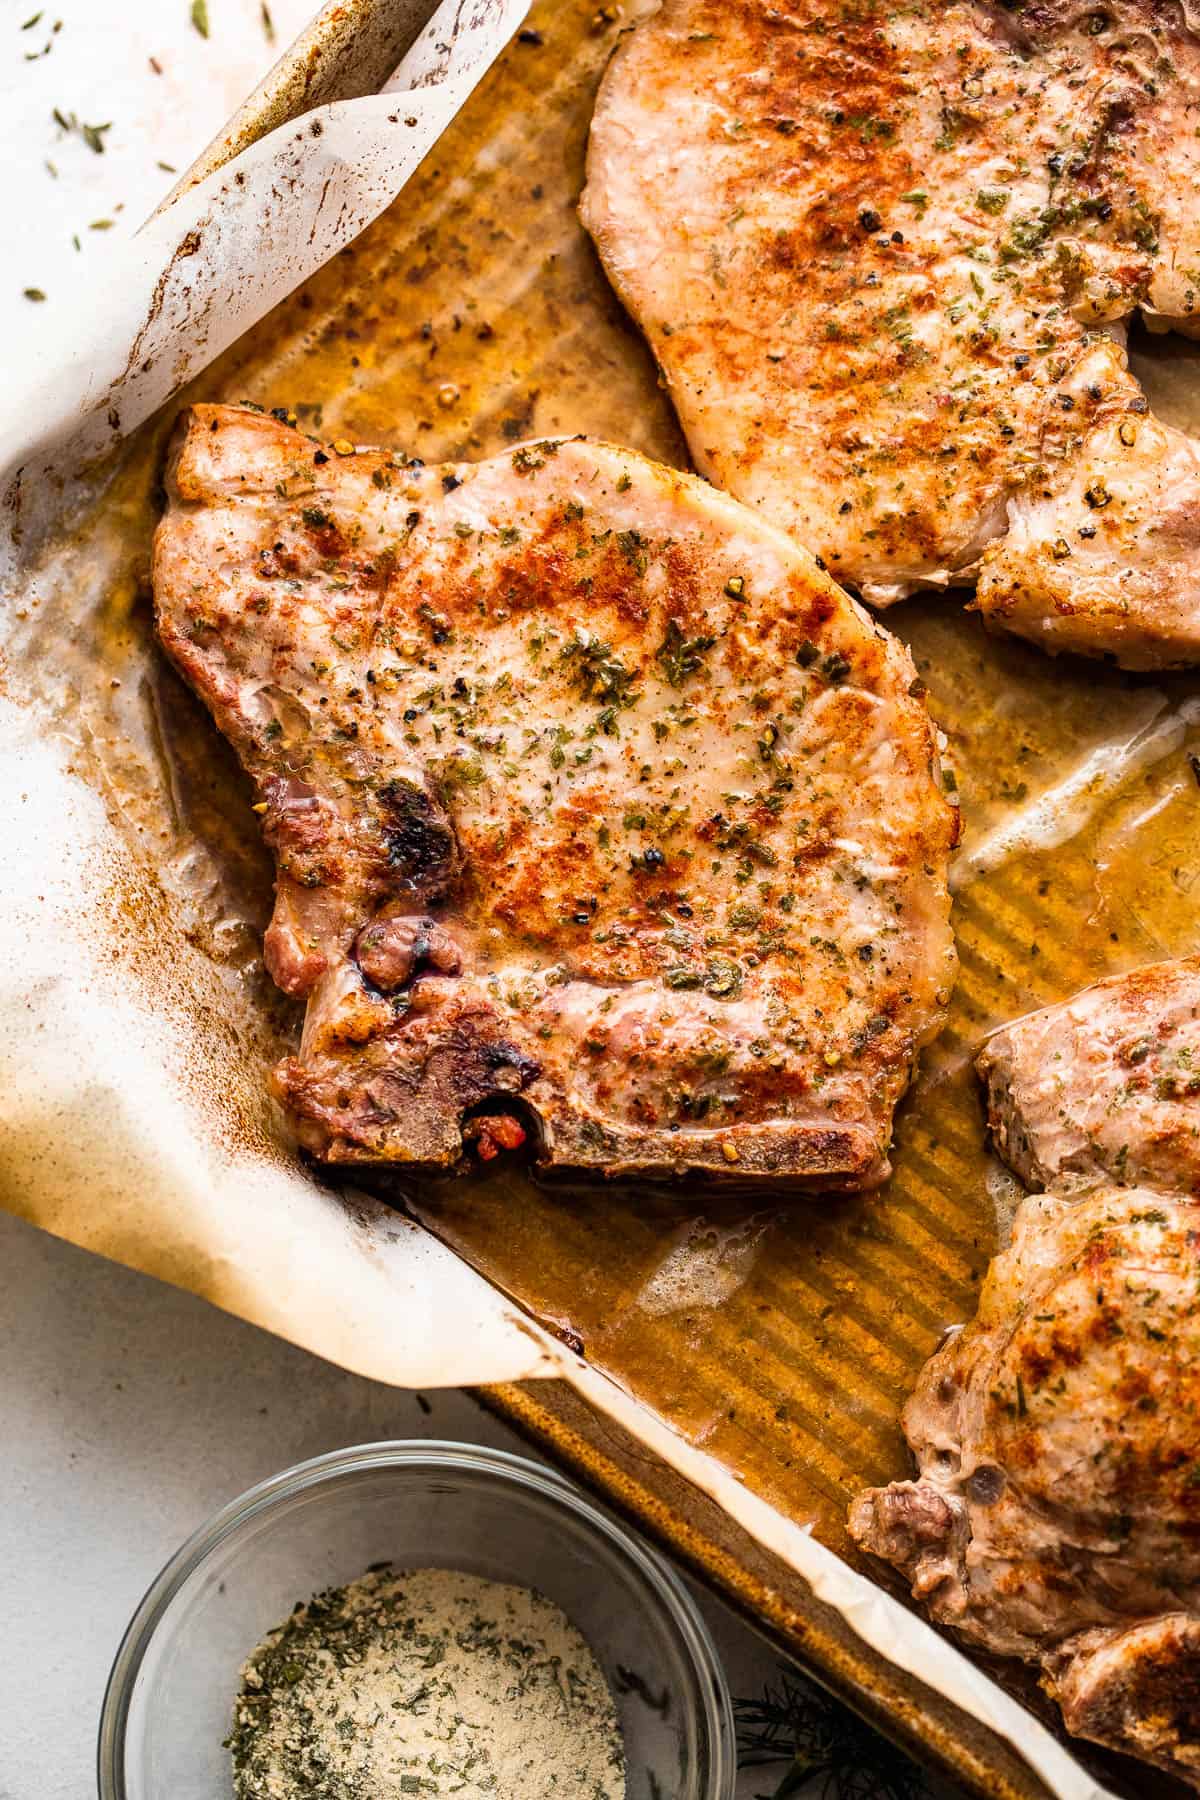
x=1106, y=1086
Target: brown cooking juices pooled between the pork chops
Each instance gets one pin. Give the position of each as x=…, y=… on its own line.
x=474, y=314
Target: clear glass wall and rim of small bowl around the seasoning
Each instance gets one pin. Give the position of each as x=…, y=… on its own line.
x=420, y=1506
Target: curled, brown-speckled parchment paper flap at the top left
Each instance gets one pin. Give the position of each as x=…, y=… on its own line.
x=219, y=258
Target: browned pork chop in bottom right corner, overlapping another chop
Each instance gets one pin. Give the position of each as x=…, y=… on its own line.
x=1057, y=1507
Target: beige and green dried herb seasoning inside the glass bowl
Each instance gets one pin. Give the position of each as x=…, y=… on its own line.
x=425, y=1682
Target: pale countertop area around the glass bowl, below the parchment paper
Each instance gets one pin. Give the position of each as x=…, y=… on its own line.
x=129, y=1414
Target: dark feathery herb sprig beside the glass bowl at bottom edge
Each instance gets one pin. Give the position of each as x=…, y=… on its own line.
x=825, y=1743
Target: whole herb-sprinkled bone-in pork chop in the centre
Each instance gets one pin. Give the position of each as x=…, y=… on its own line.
x=596, y=807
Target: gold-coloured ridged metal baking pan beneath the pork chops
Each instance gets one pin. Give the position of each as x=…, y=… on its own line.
x=470, y=316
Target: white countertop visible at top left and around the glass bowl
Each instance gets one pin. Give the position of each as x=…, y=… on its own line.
x=129, y=1410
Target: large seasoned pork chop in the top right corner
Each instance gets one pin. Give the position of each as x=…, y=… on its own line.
x=884, y=256
